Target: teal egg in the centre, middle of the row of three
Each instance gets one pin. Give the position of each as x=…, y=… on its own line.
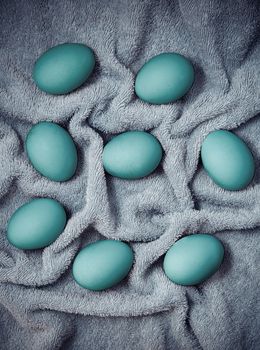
x=132, y=155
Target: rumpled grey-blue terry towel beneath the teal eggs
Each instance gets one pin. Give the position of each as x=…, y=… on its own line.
x=42, y=308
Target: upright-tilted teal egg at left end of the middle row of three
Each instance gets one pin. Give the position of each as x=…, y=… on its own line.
x=52, y=151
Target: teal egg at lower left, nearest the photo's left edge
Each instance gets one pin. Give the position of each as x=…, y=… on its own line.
x=36, y=224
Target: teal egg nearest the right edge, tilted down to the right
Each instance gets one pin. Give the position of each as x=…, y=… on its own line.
x=227, y=160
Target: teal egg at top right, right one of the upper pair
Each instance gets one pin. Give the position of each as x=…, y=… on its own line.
x=164, y=78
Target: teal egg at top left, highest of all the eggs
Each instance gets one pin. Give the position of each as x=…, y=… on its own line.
x=63, y=68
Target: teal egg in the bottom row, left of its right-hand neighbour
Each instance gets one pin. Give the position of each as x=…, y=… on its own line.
x=102, y=264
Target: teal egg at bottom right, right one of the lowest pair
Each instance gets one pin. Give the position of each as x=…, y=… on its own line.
x=193, y=259
